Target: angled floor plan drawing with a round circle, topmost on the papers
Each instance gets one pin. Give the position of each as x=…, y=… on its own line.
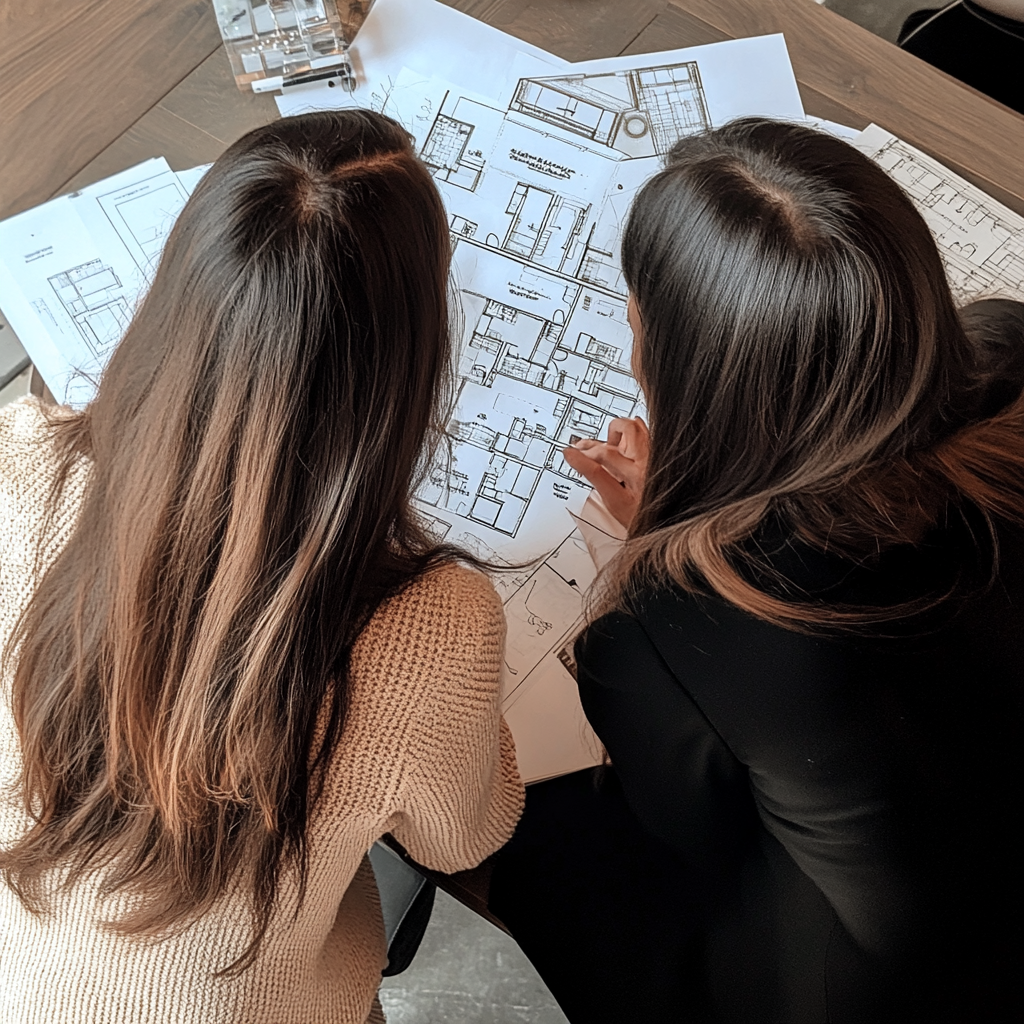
x=638, y=113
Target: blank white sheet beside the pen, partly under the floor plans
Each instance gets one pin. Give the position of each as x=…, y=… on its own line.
x=429, y=38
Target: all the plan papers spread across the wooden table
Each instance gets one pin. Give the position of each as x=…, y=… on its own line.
x=538, y=162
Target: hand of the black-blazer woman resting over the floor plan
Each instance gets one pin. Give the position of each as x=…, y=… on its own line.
x=617, y=468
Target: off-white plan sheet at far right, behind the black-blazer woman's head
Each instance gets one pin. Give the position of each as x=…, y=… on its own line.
x=982, y=242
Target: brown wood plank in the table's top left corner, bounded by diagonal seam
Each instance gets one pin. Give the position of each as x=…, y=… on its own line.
x=77, y=74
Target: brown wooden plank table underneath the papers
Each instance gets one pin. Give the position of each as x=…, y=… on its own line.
x=93, y=87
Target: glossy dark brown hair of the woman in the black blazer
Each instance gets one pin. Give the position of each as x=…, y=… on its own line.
x=804, y=363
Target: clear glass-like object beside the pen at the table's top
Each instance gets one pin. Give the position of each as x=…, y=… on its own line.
x=267, y=38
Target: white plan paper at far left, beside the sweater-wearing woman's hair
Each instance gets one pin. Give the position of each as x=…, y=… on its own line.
x=72, y=271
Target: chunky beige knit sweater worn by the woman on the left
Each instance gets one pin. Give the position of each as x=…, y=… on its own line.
x=424, y=755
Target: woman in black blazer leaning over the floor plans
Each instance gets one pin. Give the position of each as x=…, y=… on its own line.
x=806, y=664
